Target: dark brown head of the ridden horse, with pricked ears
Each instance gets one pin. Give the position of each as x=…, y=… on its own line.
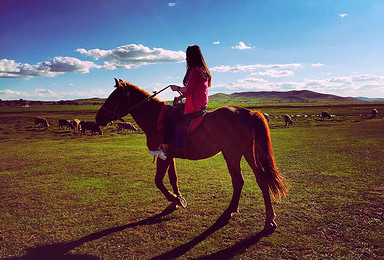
x=116, y=106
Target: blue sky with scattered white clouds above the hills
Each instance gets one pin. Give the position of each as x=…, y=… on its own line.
x=59, y=50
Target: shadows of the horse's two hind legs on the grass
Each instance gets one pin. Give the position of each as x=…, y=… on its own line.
x=227, y=253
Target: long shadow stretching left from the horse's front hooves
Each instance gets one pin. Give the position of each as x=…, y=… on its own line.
x=60, y=250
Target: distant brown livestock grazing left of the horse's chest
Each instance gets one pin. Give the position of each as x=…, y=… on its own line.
x=79, y=126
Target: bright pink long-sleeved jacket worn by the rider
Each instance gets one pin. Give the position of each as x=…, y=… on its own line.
x=195, y=91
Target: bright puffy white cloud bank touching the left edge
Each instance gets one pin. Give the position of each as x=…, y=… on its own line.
x=50, y=68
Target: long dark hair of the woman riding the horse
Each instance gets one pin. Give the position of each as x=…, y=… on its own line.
x=195, y=58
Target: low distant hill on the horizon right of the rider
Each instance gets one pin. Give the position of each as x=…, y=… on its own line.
x=294, y=96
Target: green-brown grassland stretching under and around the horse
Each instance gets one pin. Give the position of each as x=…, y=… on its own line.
x=93, y=197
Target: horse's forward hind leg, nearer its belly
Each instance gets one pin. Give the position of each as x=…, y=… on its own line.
x=233, y=164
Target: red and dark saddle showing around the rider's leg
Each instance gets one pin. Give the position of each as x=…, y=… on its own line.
x=183, y=128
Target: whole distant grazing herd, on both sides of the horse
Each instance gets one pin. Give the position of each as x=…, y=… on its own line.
x=79, y=126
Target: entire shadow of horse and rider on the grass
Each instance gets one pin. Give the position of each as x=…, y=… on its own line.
x=60, y=250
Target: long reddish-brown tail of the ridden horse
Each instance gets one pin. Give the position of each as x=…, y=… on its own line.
x=263, y=155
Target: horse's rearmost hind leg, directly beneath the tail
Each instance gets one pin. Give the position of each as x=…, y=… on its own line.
x=262, y=182
